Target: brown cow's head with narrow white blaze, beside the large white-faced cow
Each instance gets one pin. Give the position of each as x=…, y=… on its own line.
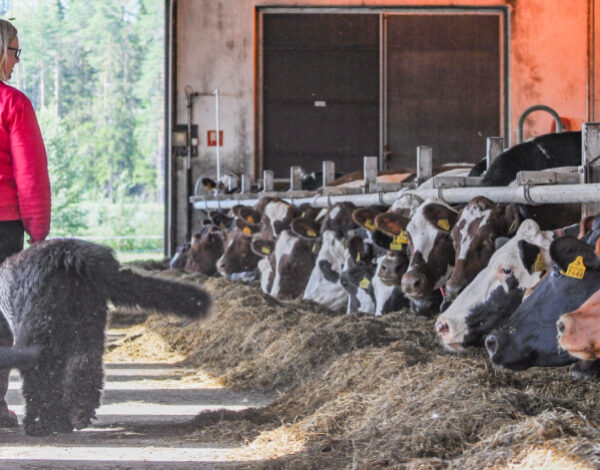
x=474, y=235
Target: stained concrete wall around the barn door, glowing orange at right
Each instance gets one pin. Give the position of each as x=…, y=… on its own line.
x=554, y=60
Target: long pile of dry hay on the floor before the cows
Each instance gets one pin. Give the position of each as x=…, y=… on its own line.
x=357, y=391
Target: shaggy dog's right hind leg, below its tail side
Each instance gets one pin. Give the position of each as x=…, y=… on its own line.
x=82, y=383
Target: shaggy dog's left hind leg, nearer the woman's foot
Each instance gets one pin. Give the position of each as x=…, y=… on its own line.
x=45, y=411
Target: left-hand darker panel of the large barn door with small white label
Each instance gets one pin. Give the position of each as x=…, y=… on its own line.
x=320, y=90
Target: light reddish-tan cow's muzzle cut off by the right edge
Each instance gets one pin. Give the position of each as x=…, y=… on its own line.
x=579, y=330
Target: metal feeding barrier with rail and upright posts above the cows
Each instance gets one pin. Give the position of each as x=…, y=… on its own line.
x=568, y=185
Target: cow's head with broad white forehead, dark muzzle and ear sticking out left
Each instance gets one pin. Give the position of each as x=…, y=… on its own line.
x=431, y=252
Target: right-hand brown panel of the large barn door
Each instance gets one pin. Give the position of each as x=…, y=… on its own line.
x=443, y=85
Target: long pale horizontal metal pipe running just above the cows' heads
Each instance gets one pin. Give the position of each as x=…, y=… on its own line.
x=543, y=194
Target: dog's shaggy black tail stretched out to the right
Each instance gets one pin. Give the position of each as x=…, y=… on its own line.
x=130, y=289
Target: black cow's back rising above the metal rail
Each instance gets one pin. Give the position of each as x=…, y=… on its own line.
x=543, y=152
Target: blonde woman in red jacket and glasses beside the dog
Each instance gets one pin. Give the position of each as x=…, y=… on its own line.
x=24, y=182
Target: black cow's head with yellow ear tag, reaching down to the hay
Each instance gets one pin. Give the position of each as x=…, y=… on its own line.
x=529, y=337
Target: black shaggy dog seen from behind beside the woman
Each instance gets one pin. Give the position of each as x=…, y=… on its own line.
x=53, y=303
